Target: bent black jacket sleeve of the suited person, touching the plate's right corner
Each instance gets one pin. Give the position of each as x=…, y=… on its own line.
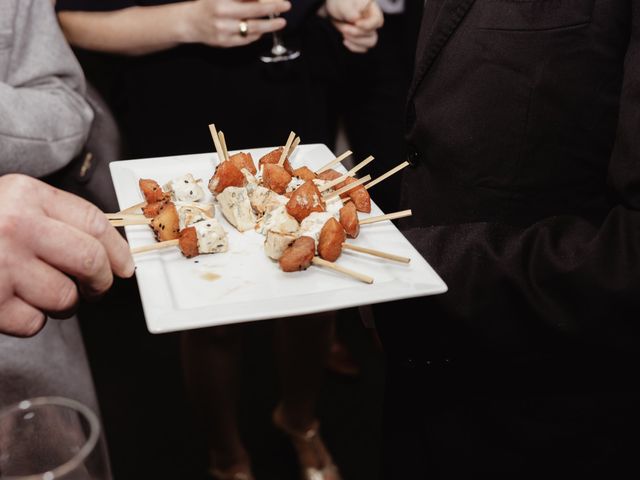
x=577, y=277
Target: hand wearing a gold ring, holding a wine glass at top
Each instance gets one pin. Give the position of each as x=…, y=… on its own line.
x=232, y=23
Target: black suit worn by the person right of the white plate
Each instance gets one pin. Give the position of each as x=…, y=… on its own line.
x=524, y=126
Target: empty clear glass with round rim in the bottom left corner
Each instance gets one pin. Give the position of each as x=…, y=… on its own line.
x=51, y=438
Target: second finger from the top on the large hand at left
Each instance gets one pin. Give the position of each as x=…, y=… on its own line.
x=72, y=251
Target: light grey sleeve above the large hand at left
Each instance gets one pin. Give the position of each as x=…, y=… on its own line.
x=44, y=119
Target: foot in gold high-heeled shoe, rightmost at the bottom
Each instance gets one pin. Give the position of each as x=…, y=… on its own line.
x=309, y=440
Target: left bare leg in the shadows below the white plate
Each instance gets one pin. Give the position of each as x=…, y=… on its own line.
x=211, y=366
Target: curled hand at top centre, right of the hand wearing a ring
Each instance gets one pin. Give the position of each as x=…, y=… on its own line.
x=358, y=21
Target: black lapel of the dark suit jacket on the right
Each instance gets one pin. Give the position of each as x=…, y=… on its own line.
x=435, y=34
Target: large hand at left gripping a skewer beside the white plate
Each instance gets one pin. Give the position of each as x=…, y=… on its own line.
x=47, y=235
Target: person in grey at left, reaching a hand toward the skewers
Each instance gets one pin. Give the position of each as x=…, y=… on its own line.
x=47, y=235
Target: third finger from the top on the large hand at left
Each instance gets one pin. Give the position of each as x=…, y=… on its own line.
x=46, y=288
